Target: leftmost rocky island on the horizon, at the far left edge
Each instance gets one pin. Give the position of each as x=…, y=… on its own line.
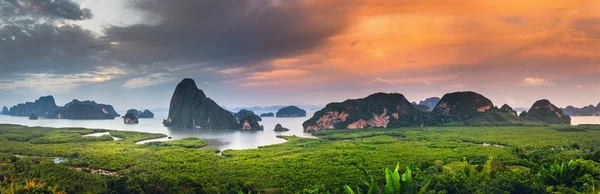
x=41, y=107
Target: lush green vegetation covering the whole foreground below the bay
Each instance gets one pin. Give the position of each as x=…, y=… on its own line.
x=453, y=159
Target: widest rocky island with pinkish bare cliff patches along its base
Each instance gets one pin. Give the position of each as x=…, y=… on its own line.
x=380, y=110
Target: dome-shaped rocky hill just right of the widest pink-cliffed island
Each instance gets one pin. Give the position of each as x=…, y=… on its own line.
x=463, y=105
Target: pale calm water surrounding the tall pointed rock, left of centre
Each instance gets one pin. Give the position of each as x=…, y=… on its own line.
x=218, y=139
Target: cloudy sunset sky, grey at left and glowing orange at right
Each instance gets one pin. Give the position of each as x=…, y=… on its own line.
x=132, y=53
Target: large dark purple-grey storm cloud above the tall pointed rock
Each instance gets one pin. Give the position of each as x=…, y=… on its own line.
x=224, y=32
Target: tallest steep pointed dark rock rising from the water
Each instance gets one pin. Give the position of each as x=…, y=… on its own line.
x=190, y=108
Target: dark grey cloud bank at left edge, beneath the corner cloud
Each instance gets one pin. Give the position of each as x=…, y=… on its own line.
x=48, y=47
